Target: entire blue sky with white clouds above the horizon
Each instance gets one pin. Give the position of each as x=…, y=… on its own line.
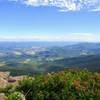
x=50, y=20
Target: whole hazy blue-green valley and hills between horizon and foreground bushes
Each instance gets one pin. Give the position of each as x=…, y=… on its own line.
x=27, y=58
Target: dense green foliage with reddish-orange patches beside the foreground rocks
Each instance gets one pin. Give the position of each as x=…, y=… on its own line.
x=64, y=85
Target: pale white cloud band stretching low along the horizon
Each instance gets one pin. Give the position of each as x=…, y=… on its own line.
x=77, y=37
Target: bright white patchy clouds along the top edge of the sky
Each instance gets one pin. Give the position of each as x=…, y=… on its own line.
x=64, y=5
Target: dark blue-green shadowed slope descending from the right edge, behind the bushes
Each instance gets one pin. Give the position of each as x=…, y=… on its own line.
x=87, y=62
